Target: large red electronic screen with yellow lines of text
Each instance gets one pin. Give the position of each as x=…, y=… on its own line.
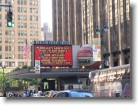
x=53, y=55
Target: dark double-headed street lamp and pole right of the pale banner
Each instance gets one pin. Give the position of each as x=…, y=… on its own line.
x=101, y=32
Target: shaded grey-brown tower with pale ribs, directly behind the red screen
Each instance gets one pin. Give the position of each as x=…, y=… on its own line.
x=67, y=21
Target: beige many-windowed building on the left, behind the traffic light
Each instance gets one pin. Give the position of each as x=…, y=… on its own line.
x=26, y=28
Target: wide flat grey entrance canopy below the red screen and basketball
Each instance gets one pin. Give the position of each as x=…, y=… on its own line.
x=30, y=73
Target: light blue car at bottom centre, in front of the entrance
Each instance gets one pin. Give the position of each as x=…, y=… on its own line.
x=74, y=93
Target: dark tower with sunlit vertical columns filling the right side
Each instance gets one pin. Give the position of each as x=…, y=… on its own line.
x=116, y=40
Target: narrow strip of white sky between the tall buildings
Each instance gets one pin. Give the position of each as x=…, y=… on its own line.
x=46, y=12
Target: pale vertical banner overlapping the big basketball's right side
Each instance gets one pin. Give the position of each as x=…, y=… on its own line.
x=96, y=49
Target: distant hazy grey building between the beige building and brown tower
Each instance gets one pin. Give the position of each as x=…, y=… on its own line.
x=46, y=33
